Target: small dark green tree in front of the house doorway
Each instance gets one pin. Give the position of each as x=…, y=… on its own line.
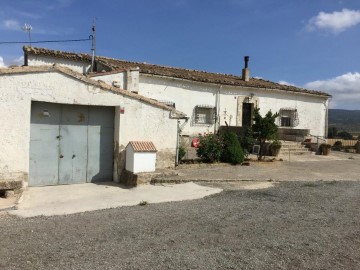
x=264, y=129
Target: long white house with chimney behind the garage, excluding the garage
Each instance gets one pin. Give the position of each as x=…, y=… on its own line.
x=210, y=100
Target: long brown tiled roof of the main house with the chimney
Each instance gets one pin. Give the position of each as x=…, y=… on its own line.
x=112, y=64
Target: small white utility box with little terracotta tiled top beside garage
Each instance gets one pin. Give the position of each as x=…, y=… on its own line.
x=140, y=156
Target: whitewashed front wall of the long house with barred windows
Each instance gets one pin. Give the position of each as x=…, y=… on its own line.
x=187, y=94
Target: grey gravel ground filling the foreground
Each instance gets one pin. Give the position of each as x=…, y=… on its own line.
x=293, y=225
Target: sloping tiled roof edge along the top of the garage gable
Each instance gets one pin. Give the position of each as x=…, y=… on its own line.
x=57, y=68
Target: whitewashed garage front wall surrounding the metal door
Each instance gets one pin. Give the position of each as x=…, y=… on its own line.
x=141, y=121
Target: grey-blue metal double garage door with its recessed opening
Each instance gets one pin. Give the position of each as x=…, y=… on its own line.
x=70, y=144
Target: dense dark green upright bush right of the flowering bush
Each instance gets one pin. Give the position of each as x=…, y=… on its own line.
x=232, y=153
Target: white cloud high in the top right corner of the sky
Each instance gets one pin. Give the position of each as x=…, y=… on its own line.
x=336, y=22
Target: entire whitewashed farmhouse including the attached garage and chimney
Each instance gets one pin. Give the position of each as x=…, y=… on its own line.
x=62, y=124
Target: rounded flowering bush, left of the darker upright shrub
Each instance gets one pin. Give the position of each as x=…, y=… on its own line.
x=210, y=147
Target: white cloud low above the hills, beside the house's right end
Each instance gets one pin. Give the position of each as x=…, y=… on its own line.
x=345, y=90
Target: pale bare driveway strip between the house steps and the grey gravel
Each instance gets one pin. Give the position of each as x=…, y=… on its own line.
x=337, y=166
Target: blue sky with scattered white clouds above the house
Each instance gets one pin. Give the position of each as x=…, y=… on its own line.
x=308, y=43
